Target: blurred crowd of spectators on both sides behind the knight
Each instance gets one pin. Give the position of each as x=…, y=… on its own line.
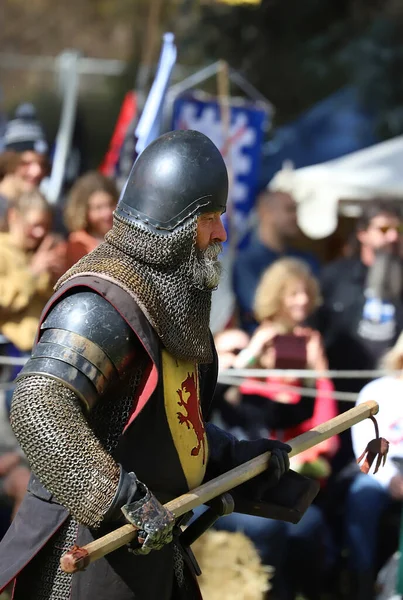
x=292, y=313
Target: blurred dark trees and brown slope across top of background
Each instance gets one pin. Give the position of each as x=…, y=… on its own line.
x=295, y=52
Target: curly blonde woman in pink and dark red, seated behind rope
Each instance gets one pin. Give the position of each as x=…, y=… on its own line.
x=286, y=295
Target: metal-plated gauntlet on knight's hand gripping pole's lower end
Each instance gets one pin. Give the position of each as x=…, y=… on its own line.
x=134, y=501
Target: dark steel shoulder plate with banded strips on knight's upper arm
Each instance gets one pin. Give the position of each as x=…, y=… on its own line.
x=84, y=343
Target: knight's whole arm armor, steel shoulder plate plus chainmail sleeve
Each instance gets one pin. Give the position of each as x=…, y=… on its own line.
x=84, y=346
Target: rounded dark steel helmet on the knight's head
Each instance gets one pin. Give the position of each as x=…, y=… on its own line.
x=178, y=176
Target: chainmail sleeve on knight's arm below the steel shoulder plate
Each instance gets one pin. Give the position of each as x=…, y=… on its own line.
x=62, y=449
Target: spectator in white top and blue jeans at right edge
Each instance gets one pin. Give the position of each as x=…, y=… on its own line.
x=370, y=495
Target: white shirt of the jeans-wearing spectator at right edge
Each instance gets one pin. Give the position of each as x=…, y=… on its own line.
x=388, y=393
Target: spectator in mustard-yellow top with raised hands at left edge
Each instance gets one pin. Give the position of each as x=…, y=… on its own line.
x=30, y=261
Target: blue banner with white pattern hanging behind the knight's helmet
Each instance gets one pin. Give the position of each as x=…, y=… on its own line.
x=241, y=148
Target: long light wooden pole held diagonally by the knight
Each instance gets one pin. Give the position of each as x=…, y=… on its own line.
x=79, y=558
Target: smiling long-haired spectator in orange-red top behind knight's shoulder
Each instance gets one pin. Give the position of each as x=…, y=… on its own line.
x=89, y=214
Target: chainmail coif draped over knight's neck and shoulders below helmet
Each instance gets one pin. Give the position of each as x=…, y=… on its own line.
x=156, y=270
